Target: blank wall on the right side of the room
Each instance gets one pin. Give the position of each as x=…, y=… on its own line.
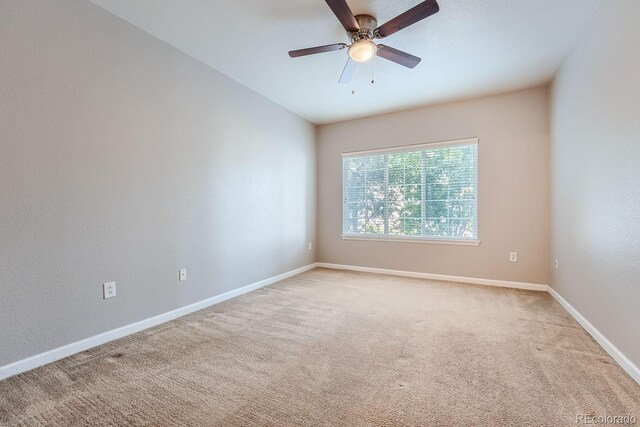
x=596, y=175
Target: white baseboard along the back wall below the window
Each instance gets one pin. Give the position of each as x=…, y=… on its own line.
x=486, y=282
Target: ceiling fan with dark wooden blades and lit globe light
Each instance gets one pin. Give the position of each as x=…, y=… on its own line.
x=362, y=30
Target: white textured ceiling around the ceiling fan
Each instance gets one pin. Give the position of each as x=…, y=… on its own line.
x=470, y=48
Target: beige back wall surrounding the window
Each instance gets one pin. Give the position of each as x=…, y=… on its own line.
x=513, y=187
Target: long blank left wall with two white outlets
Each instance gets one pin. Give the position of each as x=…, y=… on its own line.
x=123, y=159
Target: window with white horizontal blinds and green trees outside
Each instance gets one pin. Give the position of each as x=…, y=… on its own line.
x=423, y=192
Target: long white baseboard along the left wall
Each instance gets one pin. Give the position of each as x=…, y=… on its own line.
x=85, y=344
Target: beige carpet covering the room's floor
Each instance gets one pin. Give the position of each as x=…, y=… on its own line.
x=330, y=348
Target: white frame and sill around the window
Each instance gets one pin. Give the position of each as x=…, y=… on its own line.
x=415, y=239
